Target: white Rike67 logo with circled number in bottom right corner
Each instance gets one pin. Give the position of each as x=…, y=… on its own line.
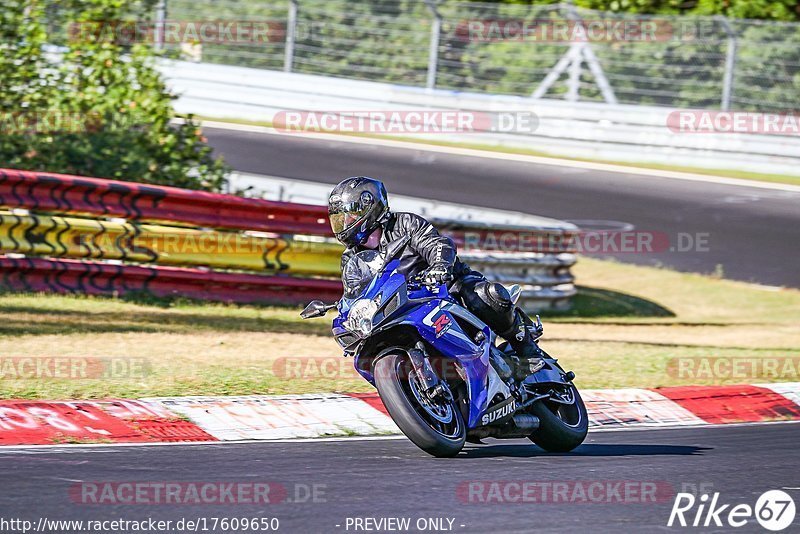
x=774, y=510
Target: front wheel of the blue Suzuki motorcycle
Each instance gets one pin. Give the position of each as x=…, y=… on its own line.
x=435, y=426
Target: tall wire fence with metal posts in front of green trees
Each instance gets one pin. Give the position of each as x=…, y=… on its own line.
x=542, y=51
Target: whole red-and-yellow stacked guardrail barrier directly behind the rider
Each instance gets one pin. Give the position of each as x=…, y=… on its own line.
x=532, y=256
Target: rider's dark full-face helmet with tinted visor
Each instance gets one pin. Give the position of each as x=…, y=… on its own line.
x=356, y=207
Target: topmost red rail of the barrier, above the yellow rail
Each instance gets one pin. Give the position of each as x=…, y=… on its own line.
x=61, y=193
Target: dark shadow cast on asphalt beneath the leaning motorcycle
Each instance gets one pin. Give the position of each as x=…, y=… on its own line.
x=587, y=449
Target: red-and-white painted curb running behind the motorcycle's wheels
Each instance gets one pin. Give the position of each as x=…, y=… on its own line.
x=263, y=417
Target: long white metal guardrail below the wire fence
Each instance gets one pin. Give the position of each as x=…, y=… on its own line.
x=575, y=129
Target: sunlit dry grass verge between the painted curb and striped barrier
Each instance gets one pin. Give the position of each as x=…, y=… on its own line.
x=628, y=327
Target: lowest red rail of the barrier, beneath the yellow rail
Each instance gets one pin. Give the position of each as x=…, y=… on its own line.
x=94, y=278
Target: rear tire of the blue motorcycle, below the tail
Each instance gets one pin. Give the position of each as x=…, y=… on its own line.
x=561, y=428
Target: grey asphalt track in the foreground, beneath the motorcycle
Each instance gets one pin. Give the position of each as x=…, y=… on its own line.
x=392, y=478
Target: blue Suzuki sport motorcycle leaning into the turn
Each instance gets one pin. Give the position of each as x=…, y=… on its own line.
x=437, y=368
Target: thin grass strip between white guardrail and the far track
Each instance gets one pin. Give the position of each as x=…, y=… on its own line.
x=727, y=173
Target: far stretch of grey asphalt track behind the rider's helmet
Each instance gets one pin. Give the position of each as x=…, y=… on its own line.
x=753, y=233
